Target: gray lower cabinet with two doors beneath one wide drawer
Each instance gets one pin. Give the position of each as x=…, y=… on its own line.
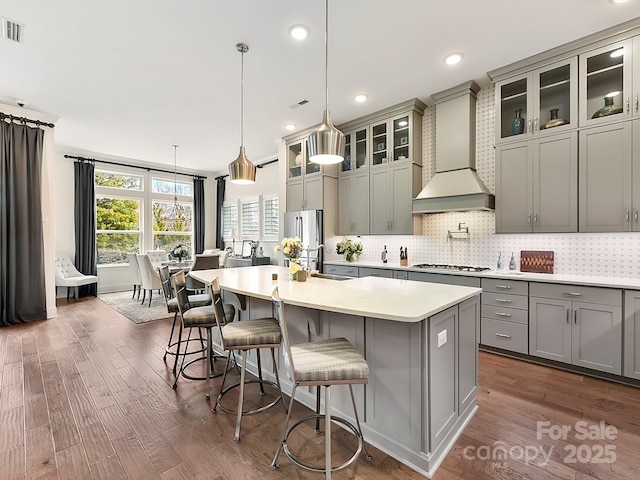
x=577, y=325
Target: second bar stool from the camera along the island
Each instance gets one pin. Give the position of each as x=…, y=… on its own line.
x=246, y=335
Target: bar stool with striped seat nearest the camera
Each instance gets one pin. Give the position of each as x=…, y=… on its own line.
x=322, y=363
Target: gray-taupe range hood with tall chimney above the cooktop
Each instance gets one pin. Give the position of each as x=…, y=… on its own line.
x=456, y=185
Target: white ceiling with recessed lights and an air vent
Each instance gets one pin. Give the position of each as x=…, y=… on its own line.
x=131, y=78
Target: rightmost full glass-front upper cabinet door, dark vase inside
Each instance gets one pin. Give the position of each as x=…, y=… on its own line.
x=605, y=87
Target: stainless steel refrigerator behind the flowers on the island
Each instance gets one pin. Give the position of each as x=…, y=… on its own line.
x=308, y=225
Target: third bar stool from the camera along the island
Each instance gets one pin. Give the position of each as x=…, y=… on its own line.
x=198, y=317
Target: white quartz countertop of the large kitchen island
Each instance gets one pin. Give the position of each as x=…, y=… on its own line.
x=385, y=298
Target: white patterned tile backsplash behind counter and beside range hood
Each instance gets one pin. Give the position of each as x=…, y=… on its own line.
x=607, y=254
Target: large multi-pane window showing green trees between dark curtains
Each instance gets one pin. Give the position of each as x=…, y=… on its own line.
x=137, y=212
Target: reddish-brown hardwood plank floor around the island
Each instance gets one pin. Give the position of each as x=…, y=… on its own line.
x=87, y=396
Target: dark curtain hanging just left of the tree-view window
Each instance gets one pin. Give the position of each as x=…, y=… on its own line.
x=85, y=223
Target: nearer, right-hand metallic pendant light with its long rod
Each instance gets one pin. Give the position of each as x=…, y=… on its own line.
x=326, y=145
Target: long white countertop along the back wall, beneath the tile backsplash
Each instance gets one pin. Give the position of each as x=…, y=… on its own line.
x=587, y=280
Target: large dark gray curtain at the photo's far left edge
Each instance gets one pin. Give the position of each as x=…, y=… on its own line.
x=22, y=282
